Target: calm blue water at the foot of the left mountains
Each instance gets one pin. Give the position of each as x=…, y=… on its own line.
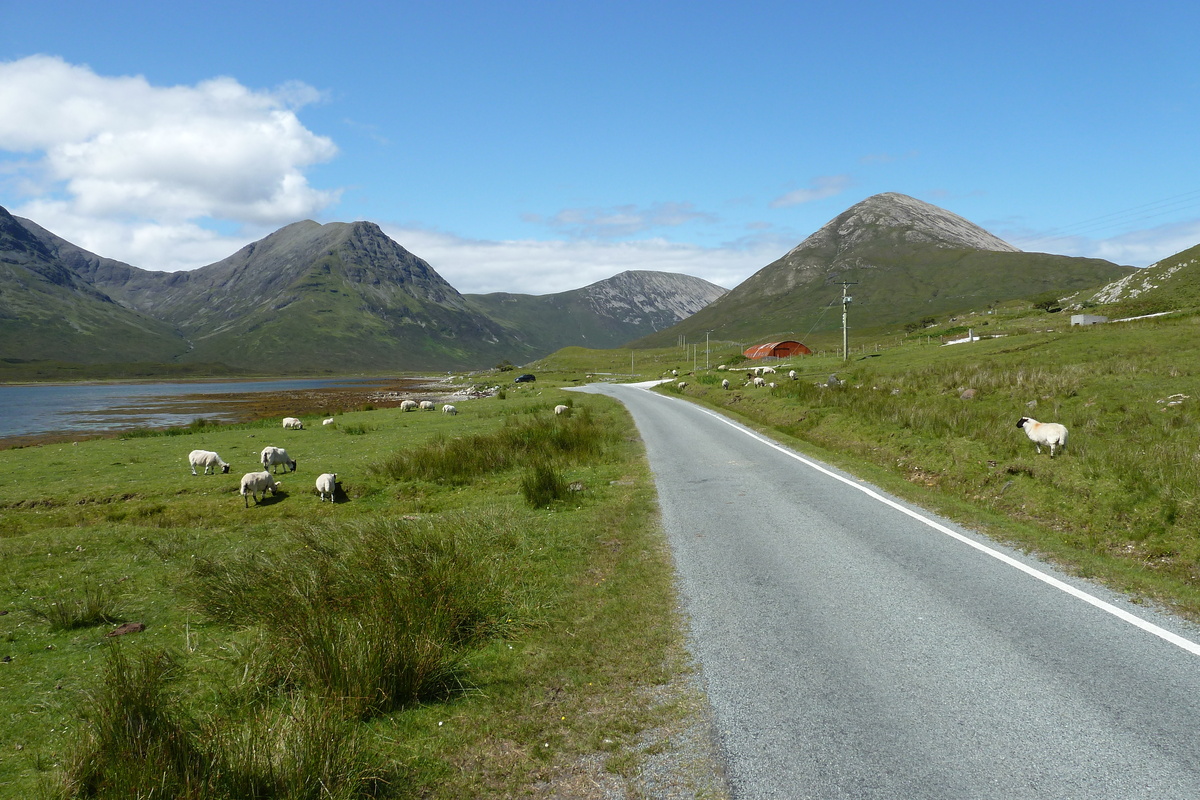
x=98, y=408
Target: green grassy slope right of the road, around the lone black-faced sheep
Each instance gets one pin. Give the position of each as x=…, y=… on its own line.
x=938, y=425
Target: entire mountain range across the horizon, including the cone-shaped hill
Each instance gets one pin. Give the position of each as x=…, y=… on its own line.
x=345, y=298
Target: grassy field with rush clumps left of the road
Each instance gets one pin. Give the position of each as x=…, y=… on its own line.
x=434, y=635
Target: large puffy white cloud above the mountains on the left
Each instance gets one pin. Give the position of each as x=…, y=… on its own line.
x=97, y=155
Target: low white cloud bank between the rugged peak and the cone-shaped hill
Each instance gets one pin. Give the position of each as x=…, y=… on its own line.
x=531, y=267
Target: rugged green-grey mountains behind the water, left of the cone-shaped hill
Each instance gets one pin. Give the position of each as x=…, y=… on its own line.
x=335, y=298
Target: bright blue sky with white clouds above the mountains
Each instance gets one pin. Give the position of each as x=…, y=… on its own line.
x=539, y=147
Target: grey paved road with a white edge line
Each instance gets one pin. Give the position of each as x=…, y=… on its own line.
x=851, y=649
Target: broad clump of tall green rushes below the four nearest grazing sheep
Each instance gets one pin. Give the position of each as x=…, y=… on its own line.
x=377, y=615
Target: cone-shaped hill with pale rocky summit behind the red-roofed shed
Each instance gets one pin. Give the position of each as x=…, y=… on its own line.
x=904, y=258
